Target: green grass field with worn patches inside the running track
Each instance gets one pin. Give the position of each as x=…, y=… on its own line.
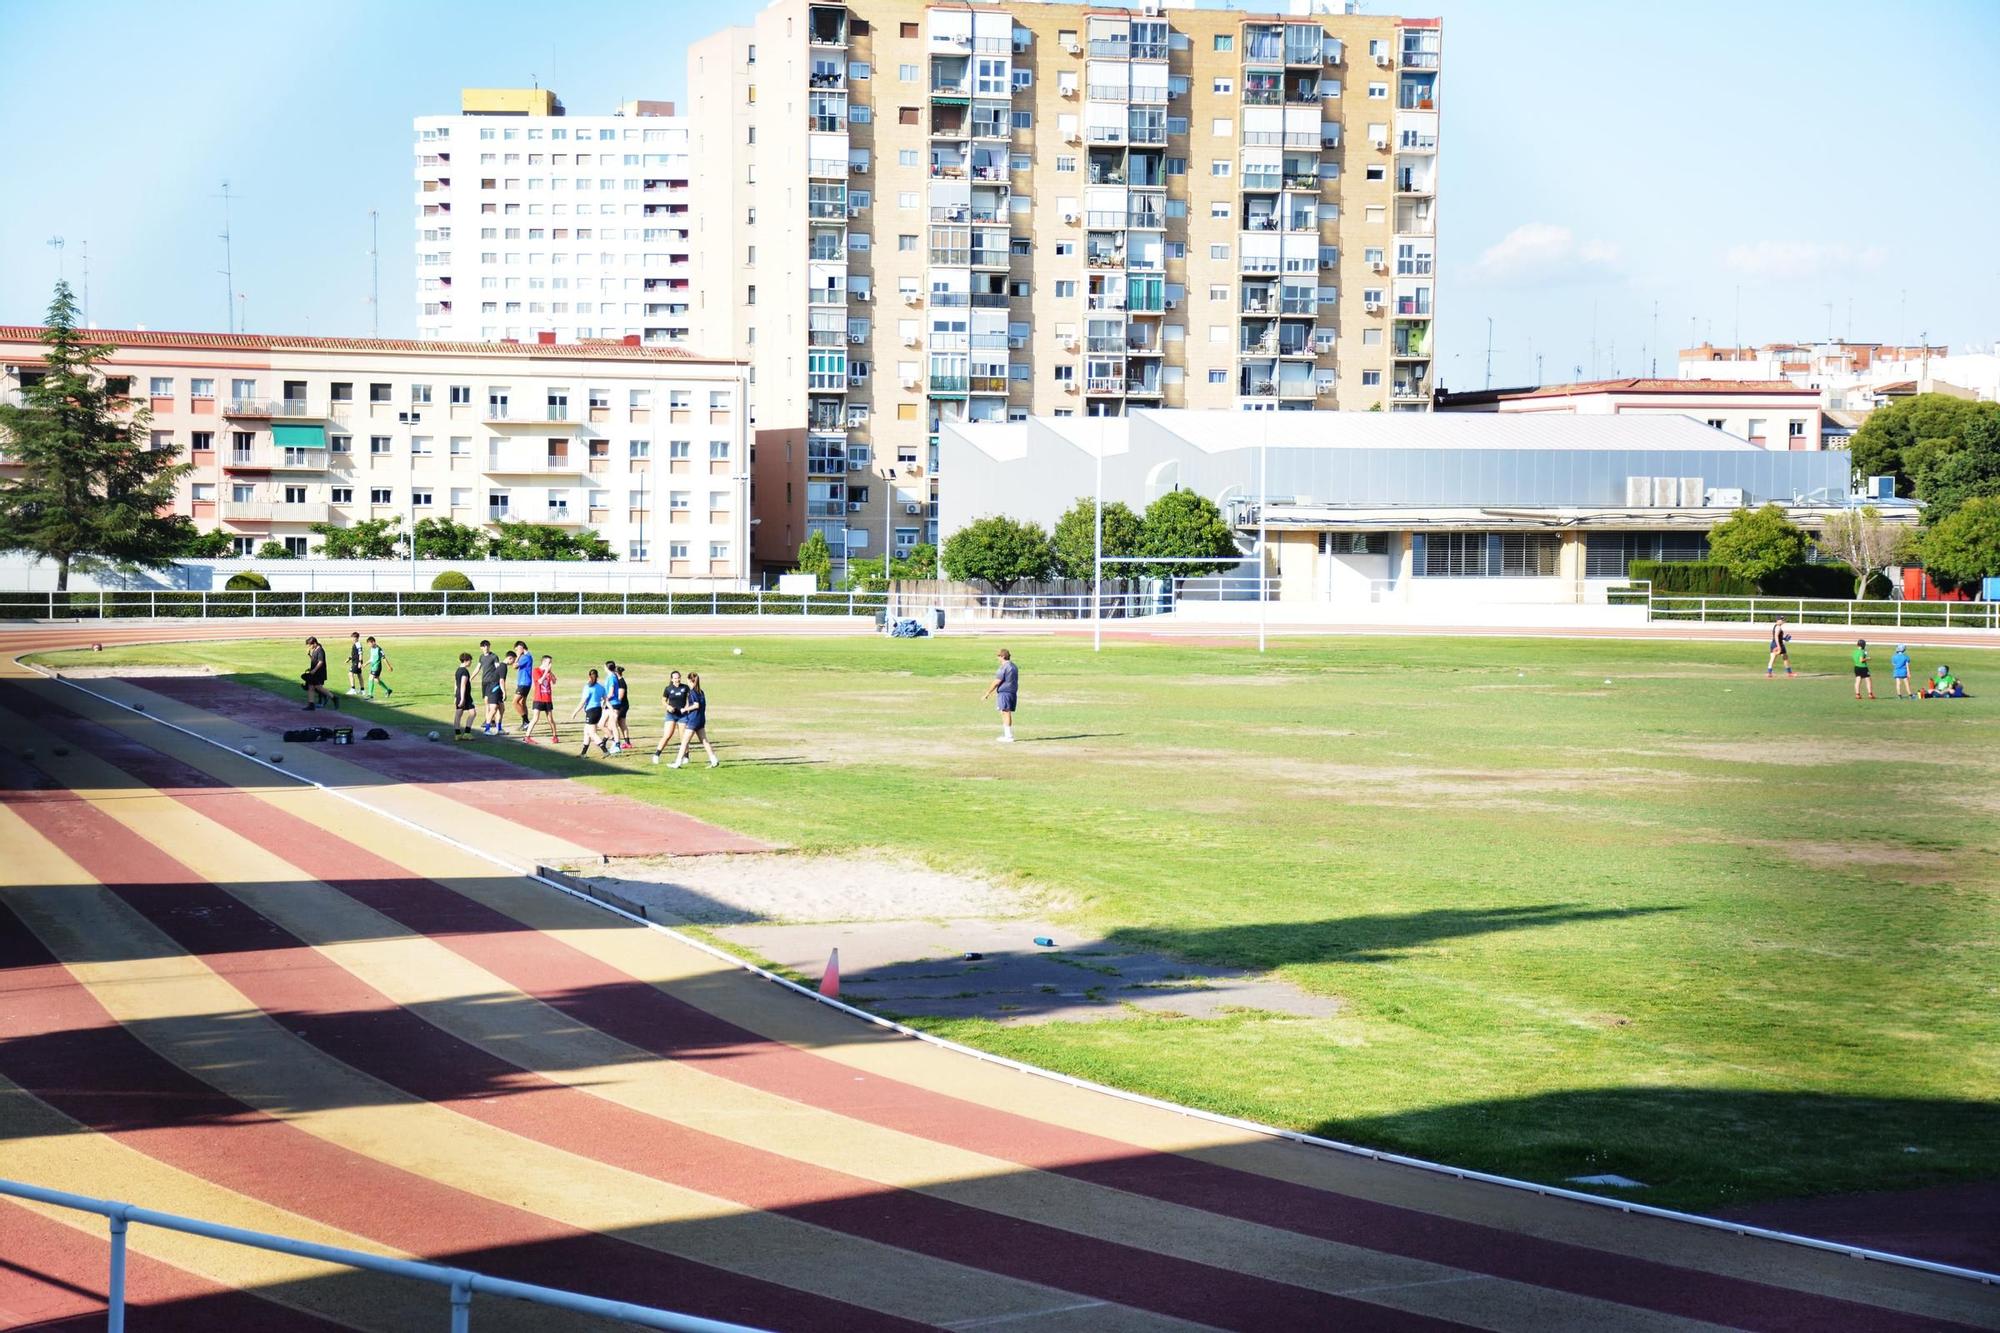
x=1731, y=938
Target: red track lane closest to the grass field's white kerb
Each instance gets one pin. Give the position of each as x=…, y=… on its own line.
x=651, y=1020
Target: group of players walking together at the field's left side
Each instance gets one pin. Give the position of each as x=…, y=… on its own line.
x=483, y=688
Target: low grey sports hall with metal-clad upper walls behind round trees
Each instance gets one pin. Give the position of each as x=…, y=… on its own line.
x=1375, y=507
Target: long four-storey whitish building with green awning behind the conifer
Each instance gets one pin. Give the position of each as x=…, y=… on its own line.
x=649, y=447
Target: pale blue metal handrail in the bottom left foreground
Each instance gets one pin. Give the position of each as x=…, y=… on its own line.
x=463, y=1284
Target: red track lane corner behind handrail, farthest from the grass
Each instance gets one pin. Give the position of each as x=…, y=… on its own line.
x=53, y=1278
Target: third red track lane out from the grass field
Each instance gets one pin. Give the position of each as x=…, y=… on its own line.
x=61, y=1046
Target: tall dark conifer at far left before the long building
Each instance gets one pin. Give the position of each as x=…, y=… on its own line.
x=91, y=491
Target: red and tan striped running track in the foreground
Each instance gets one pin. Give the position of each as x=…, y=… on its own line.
x=253, y=1002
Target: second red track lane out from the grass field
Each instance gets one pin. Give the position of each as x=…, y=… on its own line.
x=355, y=1024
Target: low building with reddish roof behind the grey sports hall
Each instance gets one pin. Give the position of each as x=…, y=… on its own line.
x=1763, y=413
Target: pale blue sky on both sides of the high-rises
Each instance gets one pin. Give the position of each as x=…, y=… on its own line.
x=1741, y=165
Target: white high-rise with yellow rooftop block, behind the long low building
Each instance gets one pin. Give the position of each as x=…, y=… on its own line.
x=533, y=221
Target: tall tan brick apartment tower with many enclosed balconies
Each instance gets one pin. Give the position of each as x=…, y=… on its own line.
x=923, y=213
